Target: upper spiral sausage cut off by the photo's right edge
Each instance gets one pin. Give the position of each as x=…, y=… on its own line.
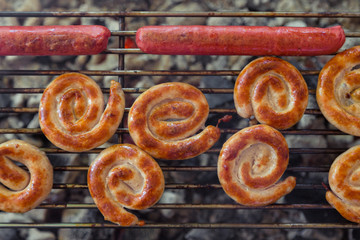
x=338, y=91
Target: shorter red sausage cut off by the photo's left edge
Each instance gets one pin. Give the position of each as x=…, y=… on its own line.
x=53, y=40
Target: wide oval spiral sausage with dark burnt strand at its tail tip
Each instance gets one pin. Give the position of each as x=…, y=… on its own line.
x=163, y=118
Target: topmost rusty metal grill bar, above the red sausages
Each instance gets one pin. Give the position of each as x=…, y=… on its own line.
x=182, y=14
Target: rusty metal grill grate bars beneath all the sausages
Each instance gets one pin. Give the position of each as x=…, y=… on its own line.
x=121, y=73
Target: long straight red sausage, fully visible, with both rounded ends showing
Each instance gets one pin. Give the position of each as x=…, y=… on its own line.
x=239, y=40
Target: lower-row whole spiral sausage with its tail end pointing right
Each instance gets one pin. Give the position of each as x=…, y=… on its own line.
x=250, y=164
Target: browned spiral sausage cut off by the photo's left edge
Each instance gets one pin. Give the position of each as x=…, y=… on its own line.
x=26, y=192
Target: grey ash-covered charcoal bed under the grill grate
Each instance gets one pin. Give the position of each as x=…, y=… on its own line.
x=155, y=62
